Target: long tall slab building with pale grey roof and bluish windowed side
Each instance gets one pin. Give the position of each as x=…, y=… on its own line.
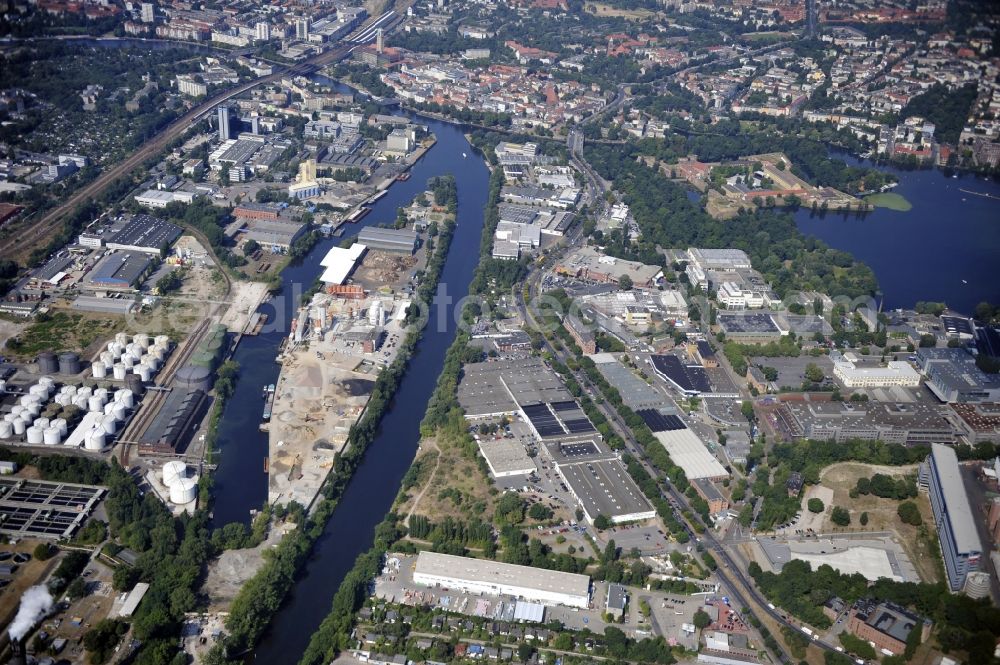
x=960, y=545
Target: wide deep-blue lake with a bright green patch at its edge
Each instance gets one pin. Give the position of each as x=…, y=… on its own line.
x=945, y=249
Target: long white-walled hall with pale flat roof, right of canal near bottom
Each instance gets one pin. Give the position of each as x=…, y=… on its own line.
x=502, y=579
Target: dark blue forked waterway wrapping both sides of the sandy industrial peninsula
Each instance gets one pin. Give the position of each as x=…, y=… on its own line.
x=240, y=481
